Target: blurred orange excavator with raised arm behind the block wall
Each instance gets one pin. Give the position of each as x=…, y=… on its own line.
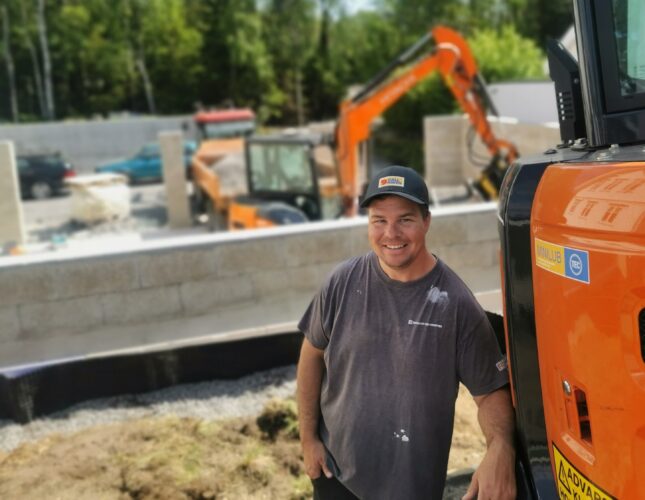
x=291, y=178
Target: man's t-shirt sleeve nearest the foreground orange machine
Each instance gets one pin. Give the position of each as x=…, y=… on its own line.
x=481, y=366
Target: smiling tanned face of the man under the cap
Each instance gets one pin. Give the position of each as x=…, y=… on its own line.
x=397, y=233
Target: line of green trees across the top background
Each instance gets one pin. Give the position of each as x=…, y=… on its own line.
x=290, y=60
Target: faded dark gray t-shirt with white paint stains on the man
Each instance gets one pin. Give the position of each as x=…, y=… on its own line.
x=394, y=354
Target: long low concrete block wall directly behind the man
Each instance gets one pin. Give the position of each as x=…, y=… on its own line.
x=194, y=289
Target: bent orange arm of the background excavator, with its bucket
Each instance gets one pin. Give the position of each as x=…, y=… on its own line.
x=452, y=59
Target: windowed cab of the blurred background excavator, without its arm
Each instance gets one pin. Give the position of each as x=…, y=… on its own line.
x=291, y=178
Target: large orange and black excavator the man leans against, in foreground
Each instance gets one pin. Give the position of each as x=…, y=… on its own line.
x=572, y=230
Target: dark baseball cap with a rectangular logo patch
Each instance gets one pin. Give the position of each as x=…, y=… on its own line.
x=400, y=181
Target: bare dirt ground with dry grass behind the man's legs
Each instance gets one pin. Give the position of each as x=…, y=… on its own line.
x=189, y=458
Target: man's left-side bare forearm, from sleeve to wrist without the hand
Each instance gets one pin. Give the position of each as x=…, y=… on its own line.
x=309, y=377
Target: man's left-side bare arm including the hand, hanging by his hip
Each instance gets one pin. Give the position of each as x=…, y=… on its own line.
x=311, y=367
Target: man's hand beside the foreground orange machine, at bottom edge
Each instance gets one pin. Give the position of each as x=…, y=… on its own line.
x=495, y=477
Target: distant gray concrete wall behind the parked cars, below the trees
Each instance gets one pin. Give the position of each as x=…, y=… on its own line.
x=86, y=144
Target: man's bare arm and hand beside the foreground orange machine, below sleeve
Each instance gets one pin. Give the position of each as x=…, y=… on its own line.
x=495, y=476
